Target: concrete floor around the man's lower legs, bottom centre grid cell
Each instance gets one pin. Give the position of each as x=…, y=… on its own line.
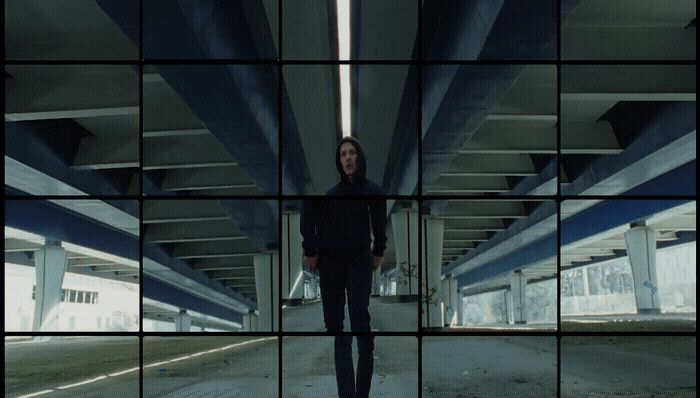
x=308, y=368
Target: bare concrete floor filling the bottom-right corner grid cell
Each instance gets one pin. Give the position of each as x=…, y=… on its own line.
x=631, y=366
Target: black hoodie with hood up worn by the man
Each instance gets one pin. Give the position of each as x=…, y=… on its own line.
x=341, y=227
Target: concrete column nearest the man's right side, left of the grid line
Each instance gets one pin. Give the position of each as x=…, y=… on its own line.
x=405, y=228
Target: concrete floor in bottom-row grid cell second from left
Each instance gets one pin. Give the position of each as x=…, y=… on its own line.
x=248, y=370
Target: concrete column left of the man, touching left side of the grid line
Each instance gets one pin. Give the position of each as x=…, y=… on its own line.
x=266, y=289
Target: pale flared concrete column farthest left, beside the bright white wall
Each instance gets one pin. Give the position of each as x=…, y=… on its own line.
x=50, y=263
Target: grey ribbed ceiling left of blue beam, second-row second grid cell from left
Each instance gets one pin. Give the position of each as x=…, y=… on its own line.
x=171, y=130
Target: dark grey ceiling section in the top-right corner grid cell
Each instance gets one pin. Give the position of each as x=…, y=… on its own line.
x=629, y=30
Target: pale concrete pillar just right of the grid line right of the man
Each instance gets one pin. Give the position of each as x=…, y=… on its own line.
x=432, y=259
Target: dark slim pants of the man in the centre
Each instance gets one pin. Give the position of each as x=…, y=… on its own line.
x=354, y=275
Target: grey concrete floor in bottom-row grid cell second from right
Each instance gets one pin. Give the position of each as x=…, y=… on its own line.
x=477, y=366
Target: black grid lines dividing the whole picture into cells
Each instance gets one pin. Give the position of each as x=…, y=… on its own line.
x=280, y=198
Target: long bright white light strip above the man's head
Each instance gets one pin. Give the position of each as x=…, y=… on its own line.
x=343, y=18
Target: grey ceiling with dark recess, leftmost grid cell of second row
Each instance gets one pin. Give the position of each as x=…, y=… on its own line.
x=85, y=116
